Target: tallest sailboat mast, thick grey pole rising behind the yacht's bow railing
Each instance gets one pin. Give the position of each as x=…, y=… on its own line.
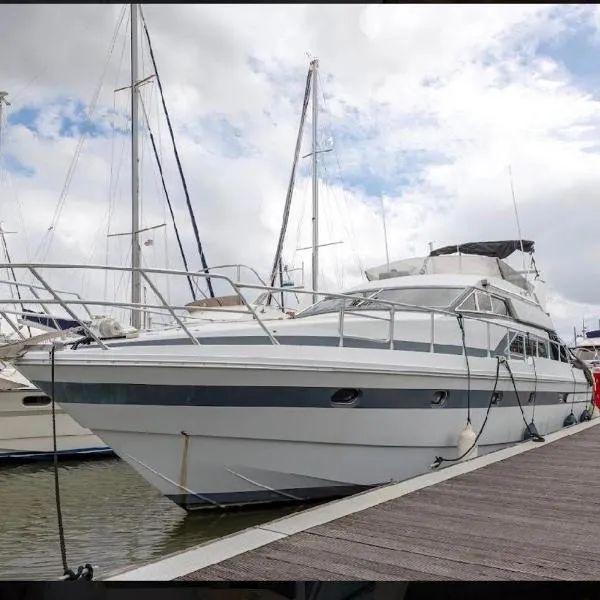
x=136, y=287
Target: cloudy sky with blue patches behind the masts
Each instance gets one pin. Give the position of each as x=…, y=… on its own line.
x=424, y=109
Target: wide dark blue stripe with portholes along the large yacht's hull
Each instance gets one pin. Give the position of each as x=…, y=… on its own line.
x=281, y=396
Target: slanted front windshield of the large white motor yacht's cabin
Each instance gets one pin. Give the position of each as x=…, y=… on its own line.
x=422, y=297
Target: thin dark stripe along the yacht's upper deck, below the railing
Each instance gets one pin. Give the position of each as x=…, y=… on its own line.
x=308, y=340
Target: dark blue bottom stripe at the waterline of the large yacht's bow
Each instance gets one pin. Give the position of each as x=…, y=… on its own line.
x=249, y=499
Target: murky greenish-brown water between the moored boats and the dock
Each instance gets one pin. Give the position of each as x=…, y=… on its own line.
x=112, y=519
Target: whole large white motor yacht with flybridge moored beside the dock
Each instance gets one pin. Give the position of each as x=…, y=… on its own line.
x=364, y=387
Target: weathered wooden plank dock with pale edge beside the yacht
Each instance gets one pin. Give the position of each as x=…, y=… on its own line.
x=531, y=512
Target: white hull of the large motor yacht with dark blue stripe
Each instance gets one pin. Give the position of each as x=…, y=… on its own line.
x=220, y=427
